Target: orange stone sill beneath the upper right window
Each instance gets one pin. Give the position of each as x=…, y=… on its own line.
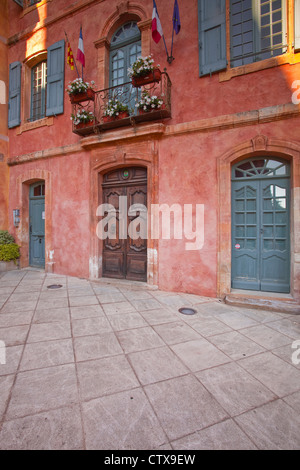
x=230, y=73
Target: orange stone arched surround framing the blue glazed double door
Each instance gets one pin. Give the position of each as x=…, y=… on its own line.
x=259, y=145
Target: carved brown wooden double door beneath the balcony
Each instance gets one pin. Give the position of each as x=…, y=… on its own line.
x=125, y=252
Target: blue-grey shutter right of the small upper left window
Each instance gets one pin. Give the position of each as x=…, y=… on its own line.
x=55, y=78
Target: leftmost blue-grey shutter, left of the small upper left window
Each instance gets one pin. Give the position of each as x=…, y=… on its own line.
x=14, y=94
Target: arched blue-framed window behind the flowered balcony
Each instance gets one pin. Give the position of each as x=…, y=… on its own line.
x=124, y=50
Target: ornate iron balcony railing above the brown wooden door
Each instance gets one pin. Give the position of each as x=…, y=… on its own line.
x=128, y=95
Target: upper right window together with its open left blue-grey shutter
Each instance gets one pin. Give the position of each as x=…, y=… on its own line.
x=235, y=33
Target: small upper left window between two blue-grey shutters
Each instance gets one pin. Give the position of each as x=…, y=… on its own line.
x=38, y=91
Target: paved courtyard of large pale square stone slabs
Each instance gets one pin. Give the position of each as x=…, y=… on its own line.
x=99, y=365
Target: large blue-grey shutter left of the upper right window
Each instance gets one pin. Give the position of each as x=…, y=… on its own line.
x=212, y=35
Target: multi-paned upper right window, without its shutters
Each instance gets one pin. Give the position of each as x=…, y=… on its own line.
x=256, y=30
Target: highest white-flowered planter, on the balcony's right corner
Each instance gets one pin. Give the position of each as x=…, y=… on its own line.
x=143, y=71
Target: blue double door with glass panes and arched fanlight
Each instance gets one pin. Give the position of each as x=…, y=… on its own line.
x=260, y=225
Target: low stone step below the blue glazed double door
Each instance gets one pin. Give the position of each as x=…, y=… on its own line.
x=276, y=304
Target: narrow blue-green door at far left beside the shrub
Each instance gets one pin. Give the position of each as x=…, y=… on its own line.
x=37, y=225
